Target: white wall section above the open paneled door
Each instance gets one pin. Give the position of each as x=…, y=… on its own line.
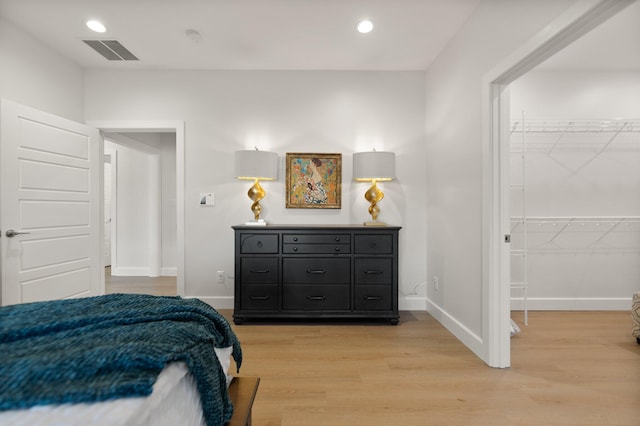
x=33, y=74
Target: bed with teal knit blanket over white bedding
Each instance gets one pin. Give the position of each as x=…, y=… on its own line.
x=117, y=360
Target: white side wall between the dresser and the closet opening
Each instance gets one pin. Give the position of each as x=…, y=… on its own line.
x=454, y=157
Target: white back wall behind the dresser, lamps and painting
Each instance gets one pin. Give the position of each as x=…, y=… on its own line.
x=283, y=112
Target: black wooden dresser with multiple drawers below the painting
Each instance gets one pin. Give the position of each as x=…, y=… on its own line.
x=316, y=271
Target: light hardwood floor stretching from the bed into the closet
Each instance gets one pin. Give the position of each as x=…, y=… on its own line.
x=568, y=368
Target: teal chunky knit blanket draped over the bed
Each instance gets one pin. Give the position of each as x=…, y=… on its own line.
x=113, y=346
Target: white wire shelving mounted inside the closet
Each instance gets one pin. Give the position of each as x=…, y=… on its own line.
x=544, y=233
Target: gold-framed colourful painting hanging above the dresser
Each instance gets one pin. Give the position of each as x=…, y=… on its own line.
x=314, y=181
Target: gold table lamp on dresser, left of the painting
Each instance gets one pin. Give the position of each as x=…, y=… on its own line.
x=256, y=165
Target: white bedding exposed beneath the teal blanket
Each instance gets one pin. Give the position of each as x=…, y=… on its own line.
x=174, y=401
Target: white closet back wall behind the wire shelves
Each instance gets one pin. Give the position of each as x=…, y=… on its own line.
x=588, y=265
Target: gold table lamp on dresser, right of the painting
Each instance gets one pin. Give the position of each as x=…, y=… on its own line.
x=374, y=167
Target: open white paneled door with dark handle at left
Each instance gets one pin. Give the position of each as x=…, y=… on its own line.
x=50, y=209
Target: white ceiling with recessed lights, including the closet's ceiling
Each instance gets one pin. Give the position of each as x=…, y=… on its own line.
x=288, y=34
